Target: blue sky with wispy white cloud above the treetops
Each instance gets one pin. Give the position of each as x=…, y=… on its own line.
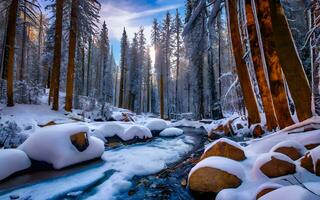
x=132, y=14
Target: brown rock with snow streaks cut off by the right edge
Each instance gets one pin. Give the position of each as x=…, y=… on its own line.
x=311, y=161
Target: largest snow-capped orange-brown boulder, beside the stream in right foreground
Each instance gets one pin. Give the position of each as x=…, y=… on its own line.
x=214, y=174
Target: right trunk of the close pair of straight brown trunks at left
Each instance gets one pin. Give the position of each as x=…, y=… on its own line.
x=72, y=51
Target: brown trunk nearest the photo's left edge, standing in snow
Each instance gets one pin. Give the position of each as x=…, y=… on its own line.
x=9, y=49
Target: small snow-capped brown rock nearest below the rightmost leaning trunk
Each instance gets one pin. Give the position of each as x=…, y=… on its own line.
x=290, y=148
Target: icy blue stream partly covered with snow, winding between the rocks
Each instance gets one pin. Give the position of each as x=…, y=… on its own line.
x=111, y=177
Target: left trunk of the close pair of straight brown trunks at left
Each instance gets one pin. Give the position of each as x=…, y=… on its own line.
x=57, y=55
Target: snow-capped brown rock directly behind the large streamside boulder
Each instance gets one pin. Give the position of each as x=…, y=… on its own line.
x=224, y=148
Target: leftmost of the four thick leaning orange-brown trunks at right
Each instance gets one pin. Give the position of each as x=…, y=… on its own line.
x=243, y=74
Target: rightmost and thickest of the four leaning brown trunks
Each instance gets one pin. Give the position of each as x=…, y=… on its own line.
x=290, y=62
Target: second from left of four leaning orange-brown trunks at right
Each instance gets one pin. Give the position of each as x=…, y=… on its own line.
x=265, y=92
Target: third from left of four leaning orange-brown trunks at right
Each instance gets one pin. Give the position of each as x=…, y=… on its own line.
x=276, y=82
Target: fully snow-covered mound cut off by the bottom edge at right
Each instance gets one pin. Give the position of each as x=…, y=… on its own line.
x=293, y=192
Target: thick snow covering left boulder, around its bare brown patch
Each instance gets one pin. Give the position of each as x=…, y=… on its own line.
x=53, y=145
